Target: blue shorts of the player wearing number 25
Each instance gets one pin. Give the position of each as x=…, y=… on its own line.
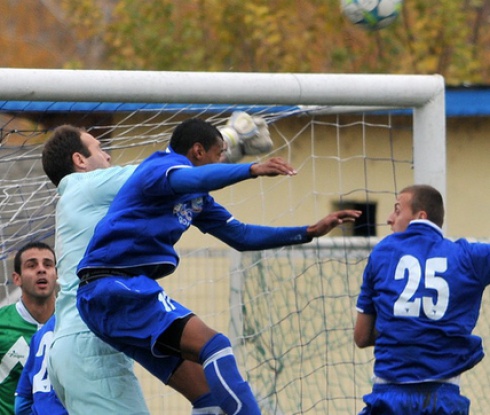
x=430, y=398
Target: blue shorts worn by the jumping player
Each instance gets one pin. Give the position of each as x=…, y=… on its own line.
x=130, y=314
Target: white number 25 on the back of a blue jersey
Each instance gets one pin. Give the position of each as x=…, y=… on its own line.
x=408, y=306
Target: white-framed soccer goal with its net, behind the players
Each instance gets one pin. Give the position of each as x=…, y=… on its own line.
x=355, y=141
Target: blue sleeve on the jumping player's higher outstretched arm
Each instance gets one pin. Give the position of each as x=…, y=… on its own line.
x=207, y=178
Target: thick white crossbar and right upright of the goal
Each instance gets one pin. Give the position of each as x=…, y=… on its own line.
x=422, y=93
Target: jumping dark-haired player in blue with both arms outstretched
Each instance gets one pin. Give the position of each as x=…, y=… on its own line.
x=133, y=246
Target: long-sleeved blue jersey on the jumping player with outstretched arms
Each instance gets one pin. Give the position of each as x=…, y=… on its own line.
x=150, y=214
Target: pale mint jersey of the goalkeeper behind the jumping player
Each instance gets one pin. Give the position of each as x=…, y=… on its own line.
x=84, y=200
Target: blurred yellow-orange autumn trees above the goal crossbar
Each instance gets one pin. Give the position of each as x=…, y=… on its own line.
x=448, y=37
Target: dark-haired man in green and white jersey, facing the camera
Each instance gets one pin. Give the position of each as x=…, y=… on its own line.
x=35, y=274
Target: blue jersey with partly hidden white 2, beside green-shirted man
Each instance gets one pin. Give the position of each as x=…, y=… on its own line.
x=34, y=388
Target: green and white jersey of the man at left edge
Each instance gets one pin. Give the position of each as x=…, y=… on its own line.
x=16, y=330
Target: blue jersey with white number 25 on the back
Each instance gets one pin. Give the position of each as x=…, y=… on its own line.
x=426, y=293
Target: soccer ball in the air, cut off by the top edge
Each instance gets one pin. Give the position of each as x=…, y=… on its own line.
x=371, y=14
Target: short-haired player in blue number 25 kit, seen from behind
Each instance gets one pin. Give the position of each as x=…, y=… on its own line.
x=423, y=293
